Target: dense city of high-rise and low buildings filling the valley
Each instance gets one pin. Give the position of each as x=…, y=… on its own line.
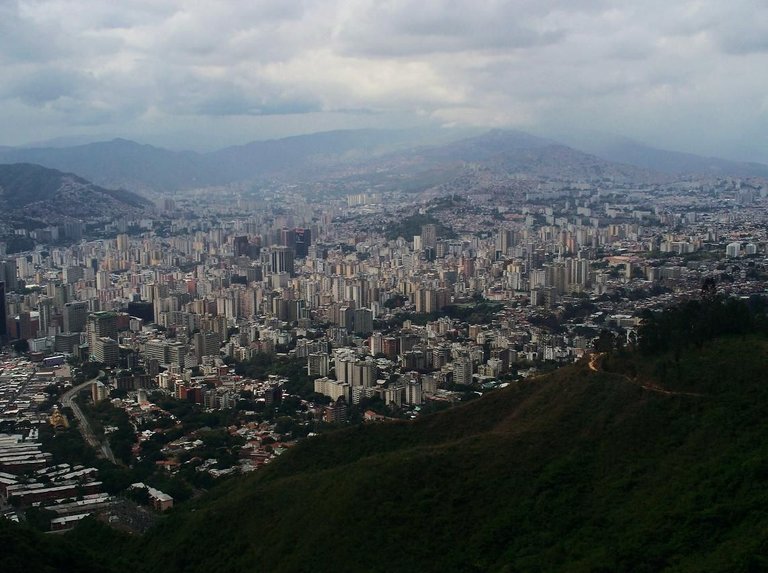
x=149, y=358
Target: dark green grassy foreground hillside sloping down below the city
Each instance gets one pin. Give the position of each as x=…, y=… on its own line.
x=579, y=471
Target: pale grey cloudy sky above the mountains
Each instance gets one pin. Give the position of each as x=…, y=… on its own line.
x=688, y=75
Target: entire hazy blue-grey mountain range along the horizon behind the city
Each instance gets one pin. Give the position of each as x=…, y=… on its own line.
x=145, y=168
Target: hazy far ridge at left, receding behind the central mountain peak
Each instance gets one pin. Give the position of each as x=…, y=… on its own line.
x=142, y=167
